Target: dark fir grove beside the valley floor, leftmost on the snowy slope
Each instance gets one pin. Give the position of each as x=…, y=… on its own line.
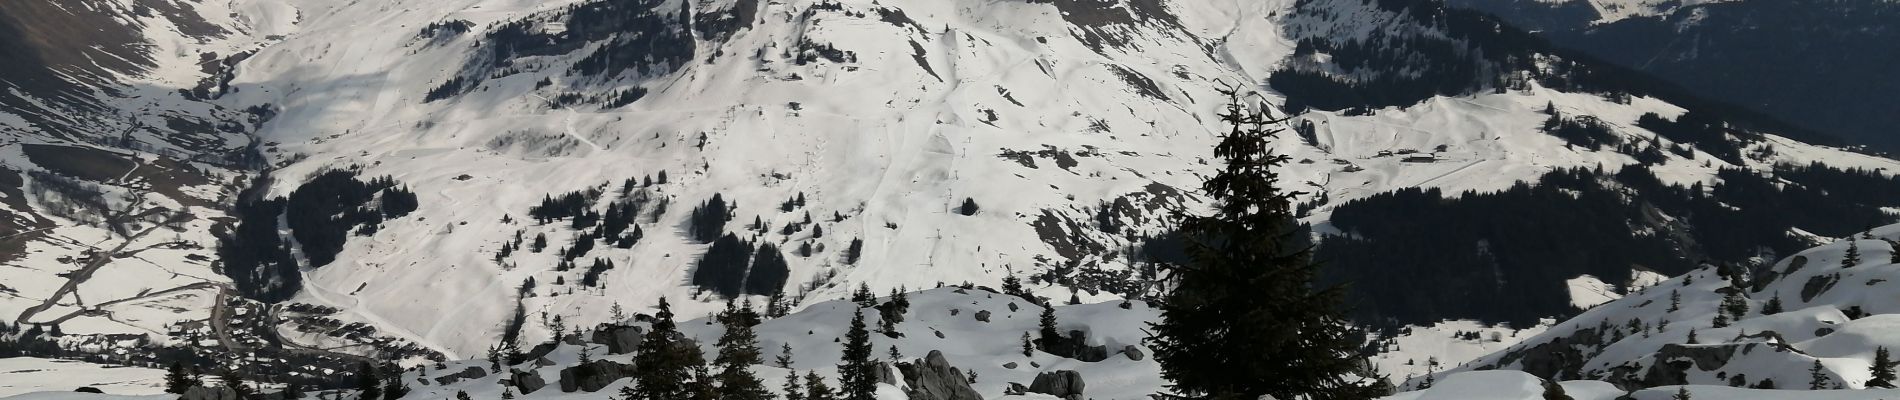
x=320, y=215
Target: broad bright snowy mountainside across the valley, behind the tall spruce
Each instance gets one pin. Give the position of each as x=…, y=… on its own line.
x=1073, y=126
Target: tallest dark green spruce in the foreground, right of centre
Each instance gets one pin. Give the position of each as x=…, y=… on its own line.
x=1245, y=318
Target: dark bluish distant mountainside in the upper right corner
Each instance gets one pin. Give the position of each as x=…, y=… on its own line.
x=1817, y=64
